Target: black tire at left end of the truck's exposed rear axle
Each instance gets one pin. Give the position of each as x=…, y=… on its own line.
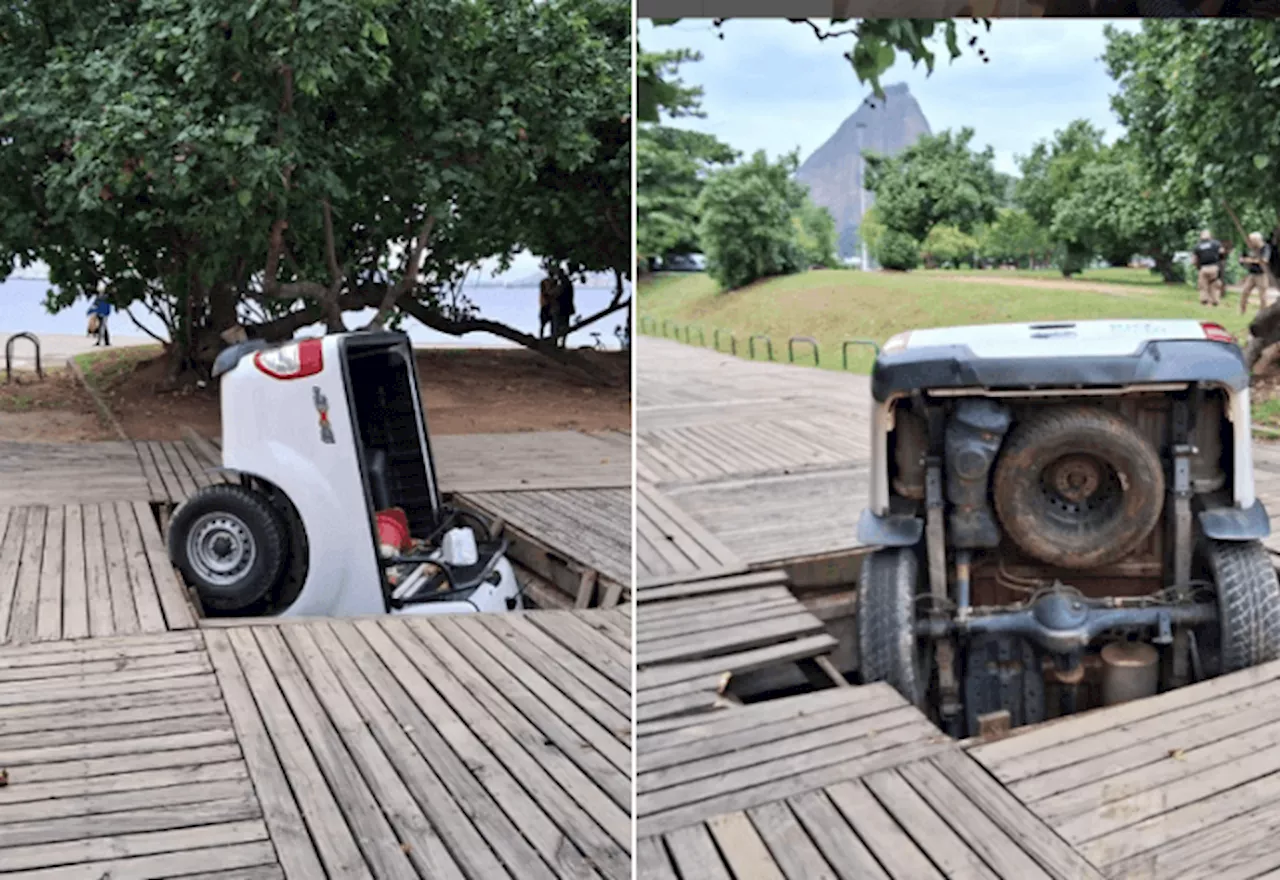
x=886, y=622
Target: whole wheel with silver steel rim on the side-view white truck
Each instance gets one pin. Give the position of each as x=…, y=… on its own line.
x=230, y=544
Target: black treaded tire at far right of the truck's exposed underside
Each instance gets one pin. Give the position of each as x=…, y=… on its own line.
x=1249, y=603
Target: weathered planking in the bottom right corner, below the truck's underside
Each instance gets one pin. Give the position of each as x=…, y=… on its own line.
x=1183, y=785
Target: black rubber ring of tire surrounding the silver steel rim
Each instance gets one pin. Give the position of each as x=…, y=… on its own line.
x=267, y=528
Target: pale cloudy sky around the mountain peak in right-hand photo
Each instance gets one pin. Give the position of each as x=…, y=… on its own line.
x=771, y=85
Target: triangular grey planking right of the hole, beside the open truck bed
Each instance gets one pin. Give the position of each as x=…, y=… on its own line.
x=591, y=528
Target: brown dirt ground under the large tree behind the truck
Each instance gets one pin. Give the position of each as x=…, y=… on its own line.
x=465, y=392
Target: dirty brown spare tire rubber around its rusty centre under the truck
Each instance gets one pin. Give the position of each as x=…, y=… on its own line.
x=1041, y=441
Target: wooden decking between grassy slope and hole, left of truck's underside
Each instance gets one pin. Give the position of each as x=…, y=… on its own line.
x=744, y=465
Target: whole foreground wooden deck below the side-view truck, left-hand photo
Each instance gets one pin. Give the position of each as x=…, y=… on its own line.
x=487, y=746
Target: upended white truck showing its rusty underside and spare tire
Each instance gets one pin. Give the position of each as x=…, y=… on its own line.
x=1066, y=519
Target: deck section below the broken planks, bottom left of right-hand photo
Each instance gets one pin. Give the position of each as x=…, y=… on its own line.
x=840, y=783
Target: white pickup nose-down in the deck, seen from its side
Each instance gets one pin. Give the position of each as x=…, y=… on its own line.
x=323, y=436
